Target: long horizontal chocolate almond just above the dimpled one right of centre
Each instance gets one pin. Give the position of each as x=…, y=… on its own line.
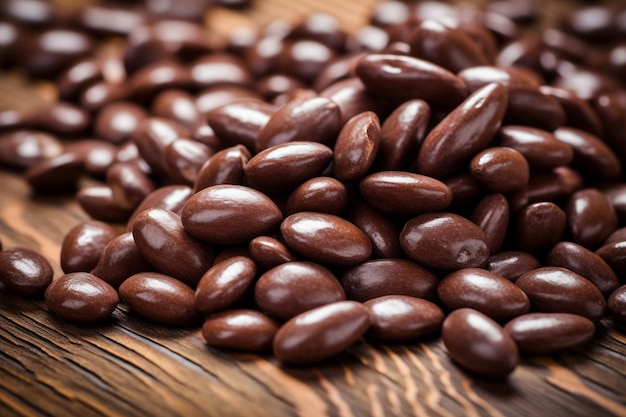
x=405, y=194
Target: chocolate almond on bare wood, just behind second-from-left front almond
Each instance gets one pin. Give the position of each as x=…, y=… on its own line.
x=83, y=245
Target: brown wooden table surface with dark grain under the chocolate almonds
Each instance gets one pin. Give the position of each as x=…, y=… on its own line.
x=127, y=367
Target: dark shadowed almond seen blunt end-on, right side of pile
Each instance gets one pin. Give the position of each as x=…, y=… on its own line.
x=540, y=226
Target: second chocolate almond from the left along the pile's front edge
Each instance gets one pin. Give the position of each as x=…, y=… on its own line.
x=81, y=297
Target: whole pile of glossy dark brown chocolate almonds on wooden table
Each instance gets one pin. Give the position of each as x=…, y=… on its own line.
x=443, y=169
